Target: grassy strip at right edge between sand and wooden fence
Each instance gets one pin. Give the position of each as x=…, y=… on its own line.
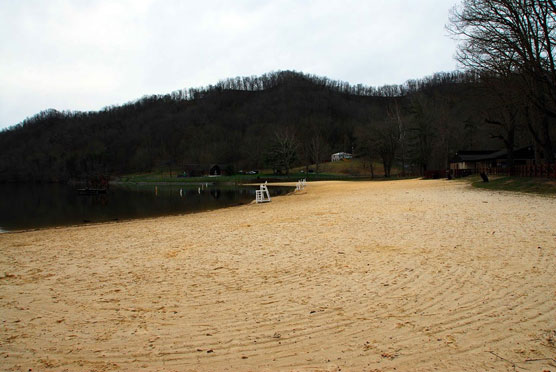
x=534, y=185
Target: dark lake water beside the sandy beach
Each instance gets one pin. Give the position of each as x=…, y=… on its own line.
x=35, y=206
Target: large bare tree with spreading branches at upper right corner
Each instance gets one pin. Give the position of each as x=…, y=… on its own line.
x=506, y=37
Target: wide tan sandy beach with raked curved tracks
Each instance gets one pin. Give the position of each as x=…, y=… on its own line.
x=413, y=275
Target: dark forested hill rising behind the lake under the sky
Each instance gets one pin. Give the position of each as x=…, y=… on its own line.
x=240, y=122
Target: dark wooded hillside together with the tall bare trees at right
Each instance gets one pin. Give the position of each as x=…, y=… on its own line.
x=505, y=97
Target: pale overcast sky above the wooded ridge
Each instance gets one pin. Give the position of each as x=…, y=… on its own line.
x=85, y=55
